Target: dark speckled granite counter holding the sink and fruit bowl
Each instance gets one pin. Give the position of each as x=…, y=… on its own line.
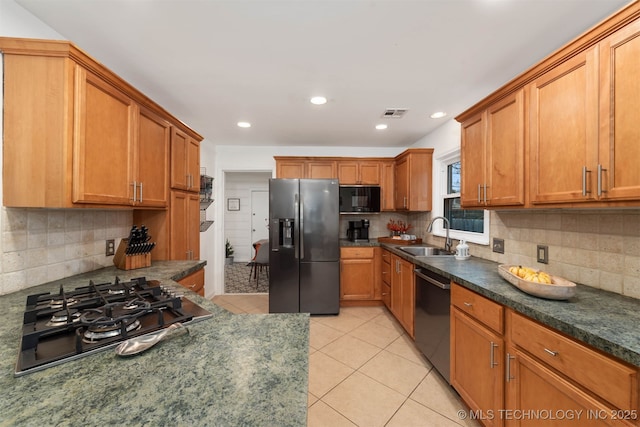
x=602, y=319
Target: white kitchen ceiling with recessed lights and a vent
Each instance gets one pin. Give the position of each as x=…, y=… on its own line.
x=213, y=63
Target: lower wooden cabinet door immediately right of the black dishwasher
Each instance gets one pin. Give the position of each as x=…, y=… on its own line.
x=477, y=371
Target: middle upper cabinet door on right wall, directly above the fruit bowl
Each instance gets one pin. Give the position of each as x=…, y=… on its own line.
x=564, y=131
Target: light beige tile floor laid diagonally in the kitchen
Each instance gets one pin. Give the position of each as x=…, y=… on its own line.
x=365, y=371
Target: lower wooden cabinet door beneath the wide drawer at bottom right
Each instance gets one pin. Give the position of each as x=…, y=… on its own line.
x=532, y=387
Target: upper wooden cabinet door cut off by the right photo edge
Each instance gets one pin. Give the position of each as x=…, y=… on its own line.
x=618, y=173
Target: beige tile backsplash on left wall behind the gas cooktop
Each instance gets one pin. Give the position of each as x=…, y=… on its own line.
x=41, y=245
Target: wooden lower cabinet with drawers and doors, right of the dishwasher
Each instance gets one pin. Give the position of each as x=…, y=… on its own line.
x=533, y=375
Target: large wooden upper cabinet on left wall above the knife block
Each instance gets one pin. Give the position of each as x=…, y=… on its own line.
x=92, y=141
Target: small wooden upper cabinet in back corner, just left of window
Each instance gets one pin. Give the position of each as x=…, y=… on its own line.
x=413, y=179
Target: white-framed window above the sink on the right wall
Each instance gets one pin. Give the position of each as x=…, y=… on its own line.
x=468, y=224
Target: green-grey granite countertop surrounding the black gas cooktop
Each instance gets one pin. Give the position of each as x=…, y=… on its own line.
x=230, y=370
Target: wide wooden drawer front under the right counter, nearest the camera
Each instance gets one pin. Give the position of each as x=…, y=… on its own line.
x=609, y=379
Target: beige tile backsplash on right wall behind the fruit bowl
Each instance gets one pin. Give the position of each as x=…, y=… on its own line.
x=597, y=248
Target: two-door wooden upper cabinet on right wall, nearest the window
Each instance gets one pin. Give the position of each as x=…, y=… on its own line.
x=492, y=154
